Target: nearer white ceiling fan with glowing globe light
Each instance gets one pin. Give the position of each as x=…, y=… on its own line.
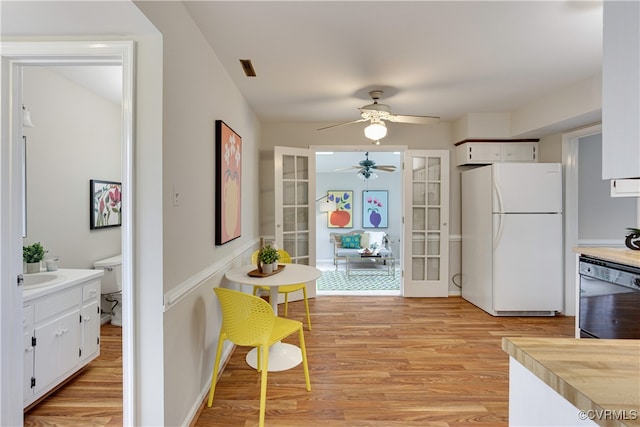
x=377, y=113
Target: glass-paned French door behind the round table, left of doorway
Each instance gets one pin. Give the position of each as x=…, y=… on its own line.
x=295, y=208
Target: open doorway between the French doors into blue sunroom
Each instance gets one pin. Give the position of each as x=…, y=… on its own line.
x=336, y=170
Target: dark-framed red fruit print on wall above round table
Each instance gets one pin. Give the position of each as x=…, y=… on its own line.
x=228, y=183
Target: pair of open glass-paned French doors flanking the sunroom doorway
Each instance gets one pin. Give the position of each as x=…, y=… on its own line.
x=425, y=257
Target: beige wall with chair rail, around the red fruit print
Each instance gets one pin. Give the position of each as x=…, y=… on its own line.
x=197, y=91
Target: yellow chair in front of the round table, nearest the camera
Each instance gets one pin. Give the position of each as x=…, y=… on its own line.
x=249, y=321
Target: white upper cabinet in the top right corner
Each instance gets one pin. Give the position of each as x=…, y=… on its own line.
x=621, y=90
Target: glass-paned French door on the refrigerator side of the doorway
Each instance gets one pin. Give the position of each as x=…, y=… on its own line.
x=426, y=225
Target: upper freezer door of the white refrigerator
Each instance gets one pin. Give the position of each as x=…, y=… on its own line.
x=527, y=187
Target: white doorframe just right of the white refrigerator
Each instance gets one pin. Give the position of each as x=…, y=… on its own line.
x=570, y=142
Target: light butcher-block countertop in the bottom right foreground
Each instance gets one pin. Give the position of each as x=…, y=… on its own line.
x=592, y=374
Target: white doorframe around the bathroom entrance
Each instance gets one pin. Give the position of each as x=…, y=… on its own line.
x=14, y=56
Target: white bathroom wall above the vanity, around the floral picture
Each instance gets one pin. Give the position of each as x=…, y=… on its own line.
x=76, y=138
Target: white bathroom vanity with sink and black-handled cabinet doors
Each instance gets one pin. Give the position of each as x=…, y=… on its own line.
x=61, y=328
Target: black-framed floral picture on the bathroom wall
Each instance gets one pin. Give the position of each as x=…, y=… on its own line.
x=105, y=201
